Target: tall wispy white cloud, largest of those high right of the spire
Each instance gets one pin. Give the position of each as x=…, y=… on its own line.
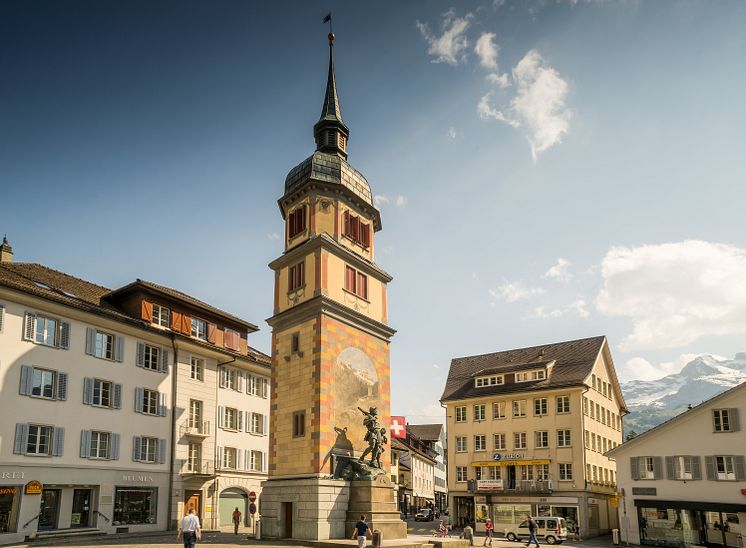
x=539, y=105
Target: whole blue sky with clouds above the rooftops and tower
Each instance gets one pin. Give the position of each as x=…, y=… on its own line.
x=545, y=170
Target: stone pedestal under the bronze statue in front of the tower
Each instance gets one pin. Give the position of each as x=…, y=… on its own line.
x=375, y=499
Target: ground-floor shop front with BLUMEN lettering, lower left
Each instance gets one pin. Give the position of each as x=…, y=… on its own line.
x=38, y=500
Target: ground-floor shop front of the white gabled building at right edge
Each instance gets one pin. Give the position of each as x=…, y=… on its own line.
x=681, y=524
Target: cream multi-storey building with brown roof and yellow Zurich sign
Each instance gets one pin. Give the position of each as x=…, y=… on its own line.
x=527, y=429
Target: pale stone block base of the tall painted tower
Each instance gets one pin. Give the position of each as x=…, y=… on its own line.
x=305, y=508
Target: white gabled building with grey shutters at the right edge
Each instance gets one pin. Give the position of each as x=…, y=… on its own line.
x=684, y=482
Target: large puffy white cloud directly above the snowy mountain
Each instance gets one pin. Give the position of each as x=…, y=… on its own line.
x=675, y=293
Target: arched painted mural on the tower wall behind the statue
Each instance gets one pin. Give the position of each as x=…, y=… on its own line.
x=356, y=384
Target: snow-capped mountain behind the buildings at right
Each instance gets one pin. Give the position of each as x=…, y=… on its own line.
x=653, y=402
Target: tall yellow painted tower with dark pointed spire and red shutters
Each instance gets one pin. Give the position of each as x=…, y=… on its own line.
x=330, y=337
